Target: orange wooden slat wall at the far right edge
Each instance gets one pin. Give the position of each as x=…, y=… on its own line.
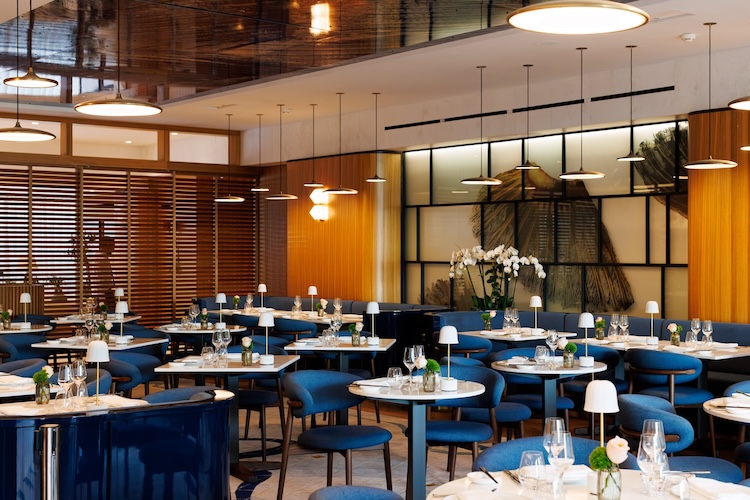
x=719, y=220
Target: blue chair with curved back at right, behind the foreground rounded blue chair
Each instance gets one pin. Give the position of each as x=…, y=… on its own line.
x=664, y=374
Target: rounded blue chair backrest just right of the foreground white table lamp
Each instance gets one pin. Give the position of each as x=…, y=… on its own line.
x=635, y=408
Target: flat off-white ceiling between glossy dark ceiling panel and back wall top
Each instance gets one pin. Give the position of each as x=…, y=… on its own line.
x=448, y=67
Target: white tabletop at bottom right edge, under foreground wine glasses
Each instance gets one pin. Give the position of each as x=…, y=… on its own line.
x=507, y=489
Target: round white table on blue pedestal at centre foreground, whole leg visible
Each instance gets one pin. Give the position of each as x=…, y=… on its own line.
x=417, y=401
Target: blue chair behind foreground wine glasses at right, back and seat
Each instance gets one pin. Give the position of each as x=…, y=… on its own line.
x=678, y=431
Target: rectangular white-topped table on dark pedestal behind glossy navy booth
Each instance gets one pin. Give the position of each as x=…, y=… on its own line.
x=231, y=373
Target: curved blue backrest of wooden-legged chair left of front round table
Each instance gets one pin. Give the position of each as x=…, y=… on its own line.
x=320, y=391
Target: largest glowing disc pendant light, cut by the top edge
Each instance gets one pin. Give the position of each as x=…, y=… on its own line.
x=577, y=17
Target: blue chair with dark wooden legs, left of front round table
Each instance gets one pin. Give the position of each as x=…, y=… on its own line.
x=321, y=391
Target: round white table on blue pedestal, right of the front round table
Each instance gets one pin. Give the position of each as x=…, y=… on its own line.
x=548, y=374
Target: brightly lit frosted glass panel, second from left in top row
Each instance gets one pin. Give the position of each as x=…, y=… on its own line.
x=449, y=166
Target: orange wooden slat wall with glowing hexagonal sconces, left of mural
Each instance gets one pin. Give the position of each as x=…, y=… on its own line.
x=339, y=256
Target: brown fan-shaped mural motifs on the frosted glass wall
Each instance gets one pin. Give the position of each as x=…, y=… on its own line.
x=561, y=224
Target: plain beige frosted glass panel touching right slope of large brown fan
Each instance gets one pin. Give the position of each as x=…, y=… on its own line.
x=624, y=220
